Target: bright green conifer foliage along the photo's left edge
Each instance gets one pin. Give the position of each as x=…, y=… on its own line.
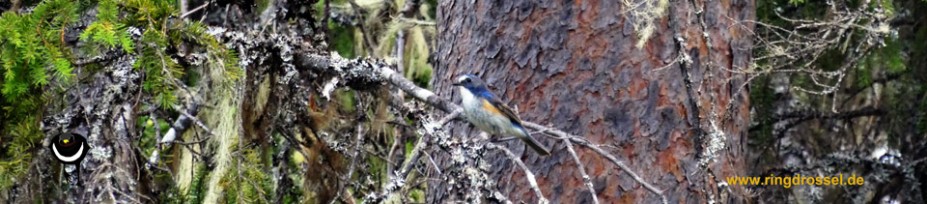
x=32, y=54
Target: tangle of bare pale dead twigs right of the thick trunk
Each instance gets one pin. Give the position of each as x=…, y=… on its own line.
x=799, y=44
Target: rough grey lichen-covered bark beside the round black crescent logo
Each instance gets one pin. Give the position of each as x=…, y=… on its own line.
x=104, y=112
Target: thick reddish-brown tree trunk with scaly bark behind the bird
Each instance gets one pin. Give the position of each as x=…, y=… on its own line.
x=672, y=109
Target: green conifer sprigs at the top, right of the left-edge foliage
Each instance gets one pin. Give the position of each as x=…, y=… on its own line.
x=160, y=33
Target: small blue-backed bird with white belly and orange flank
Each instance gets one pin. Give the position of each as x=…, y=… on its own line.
x=485, y=111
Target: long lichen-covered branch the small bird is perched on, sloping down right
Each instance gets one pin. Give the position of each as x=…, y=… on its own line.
x=358, y=72
